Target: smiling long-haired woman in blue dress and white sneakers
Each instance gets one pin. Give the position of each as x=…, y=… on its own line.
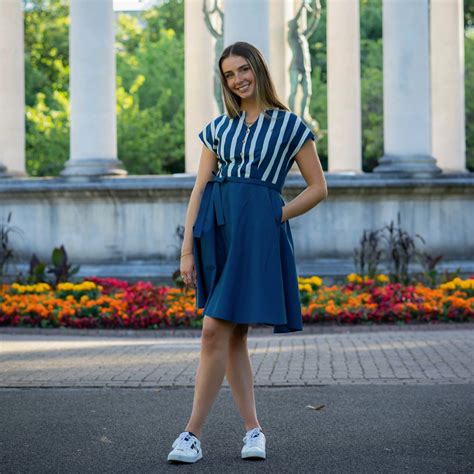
x=240, y=253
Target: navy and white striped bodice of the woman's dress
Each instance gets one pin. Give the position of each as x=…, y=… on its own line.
x=264, y=151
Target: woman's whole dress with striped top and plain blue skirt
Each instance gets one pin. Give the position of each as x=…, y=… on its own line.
x=243, y=253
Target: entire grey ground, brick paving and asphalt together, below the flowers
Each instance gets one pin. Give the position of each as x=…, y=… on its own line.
x=391, y=400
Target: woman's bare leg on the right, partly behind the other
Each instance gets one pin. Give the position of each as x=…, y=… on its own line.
x=240, y=376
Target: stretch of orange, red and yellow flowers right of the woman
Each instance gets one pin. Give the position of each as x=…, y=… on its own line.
x=374, y=300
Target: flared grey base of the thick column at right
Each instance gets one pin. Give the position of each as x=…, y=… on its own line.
x=407, y=166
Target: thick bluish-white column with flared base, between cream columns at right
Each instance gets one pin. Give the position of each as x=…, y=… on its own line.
x=407, y=104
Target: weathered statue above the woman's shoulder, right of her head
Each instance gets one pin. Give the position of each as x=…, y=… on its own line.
x=300, y=67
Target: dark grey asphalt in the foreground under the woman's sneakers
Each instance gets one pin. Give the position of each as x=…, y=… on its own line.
x=360, y=429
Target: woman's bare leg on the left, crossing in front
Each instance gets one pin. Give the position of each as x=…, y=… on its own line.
x=211, y=370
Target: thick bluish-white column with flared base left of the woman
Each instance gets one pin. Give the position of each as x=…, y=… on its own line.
x=92, y=89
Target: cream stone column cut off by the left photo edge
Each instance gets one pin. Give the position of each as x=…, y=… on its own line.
x=12, y=90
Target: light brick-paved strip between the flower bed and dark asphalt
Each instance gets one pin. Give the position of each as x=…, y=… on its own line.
x=382, y=357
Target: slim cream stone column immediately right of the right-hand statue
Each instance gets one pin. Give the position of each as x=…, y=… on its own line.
x=343, y=70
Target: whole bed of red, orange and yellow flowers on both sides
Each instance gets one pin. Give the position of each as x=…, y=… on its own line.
x=110, y=303
